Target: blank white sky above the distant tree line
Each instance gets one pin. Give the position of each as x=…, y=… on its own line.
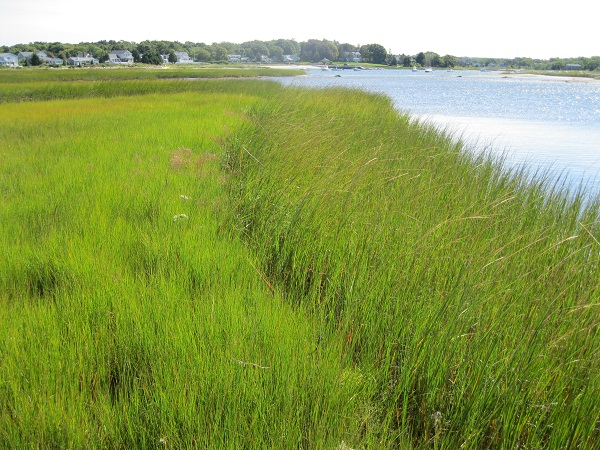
x=502, y=29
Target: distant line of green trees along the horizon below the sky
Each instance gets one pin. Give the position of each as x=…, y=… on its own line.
x=312, y=50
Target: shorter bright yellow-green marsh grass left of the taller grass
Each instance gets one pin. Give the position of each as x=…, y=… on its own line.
x=130, y=315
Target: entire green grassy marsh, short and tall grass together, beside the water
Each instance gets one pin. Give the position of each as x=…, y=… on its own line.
x=234, y=264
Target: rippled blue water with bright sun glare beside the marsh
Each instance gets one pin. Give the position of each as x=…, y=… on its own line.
x=544, y=122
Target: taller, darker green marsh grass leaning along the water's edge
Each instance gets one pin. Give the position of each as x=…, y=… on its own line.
x=465, y=294
